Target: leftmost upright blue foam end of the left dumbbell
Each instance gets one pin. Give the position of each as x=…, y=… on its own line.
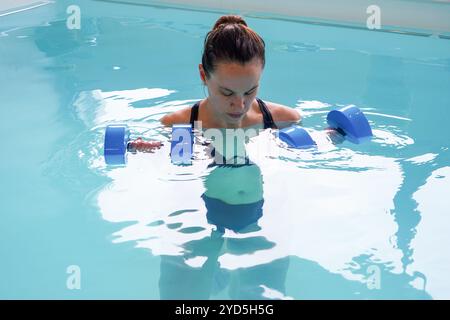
x=115, y=146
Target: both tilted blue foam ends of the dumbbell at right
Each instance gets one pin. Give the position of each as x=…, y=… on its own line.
x=349, y=121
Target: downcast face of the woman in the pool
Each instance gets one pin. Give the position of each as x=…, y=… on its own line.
x=232, y=88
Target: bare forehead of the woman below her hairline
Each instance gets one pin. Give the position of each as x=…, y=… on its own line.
x=235, y=75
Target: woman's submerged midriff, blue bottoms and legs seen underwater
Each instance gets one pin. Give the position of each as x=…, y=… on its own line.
x=233, y=199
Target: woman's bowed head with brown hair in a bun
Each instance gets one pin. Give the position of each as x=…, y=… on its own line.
x=232, y=63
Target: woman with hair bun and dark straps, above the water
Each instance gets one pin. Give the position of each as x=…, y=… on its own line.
x=232, y=63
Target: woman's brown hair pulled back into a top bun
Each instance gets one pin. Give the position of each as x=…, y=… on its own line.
x=231, y=40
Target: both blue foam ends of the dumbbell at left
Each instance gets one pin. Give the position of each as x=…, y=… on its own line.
x=117, y=138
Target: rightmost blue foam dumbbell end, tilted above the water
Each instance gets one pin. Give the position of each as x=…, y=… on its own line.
x=351, y=122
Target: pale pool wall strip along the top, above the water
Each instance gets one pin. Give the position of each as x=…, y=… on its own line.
x=430, y=16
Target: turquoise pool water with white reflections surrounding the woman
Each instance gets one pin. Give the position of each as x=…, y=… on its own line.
x=348, y=221
